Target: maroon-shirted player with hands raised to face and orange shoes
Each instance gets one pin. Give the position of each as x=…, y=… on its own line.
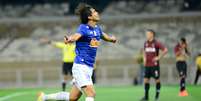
x=182, y=52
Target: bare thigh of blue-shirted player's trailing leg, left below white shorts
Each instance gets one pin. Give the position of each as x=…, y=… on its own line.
x=75, y=93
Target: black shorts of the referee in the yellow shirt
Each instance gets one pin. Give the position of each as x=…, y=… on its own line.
x=67, y=68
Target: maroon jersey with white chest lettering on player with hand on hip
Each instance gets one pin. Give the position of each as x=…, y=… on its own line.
x=151, y=50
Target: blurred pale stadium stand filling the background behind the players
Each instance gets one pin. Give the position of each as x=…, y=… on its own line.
x=22, y=26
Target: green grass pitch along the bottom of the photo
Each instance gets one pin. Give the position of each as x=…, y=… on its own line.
x=119, y=93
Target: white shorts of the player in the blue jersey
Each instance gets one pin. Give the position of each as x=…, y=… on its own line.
x=82, y=75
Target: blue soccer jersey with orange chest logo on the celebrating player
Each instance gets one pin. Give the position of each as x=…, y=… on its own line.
x=86, y=46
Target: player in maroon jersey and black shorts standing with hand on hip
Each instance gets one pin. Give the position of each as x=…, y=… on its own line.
x=151, y=62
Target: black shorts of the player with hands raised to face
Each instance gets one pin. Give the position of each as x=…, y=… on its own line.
x=181, y=68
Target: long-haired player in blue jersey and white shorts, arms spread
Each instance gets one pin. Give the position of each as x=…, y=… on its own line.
x=87, y=40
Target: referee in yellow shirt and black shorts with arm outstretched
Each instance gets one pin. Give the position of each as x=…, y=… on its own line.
x=68, y=52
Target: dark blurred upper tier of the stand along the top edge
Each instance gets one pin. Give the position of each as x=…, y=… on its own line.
x=113, y=7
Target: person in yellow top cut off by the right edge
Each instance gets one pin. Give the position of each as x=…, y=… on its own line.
x=198, y=71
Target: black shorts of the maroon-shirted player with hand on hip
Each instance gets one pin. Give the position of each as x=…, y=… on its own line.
x=152, y=72
